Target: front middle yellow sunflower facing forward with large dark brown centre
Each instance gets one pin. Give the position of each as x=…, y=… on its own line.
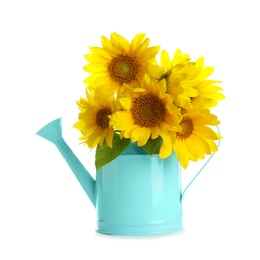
x=148, y=113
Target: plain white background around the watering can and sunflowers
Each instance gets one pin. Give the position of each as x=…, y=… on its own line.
x=44, y=213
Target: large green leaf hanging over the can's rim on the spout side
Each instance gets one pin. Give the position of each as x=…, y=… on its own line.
x=105, y=154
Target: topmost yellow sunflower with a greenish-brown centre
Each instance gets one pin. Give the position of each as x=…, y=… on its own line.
x=119, y=61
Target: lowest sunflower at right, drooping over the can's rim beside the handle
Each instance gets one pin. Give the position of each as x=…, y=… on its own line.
x=196, y=139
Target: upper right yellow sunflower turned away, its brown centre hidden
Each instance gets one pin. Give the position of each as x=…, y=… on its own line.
x=187, y=81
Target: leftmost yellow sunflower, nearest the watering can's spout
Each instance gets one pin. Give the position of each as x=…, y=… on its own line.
x=94, y=121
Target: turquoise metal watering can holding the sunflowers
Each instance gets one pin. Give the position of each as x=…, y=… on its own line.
x=135, y=194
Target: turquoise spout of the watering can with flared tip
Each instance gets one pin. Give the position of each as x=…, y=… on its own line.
x=53, y=133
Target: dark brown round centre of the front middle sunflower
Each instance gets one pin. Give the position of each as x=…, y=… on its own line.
x=148, y=111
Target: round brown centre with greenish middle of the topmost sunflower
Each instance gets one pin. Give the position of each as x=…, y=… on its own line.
x=123, y=69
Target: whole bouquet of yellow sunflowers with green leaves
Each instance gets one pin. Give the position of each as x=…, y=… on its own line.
x=164, y=106
